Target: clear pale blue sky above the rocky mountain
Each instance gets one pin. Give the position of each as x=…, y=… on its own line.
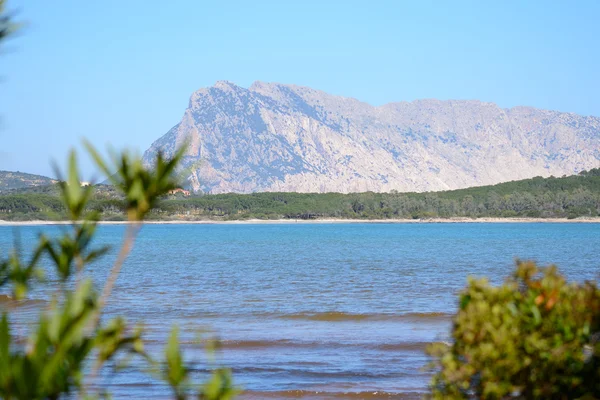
x=121, y=72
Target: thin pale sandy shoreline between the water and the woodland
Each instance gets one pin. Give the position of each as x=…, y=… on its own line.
x=592, y=220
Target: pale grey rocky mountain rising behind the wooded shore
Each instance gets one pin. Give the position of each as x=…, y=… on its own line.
x=274, y=137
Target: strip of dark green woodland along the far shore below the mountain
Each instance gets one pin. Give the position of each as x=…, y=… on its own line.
x=566, y=197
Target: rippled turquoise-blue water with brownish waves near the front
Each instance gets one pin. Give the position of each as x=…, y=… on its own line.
x=320, y=310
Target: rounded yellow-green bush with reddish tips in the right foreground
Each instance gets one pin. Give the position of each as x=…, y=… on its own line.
x=535, y=337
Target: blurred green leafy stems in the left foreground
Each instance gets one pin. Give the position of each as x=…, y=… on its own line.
x=70, y=343
